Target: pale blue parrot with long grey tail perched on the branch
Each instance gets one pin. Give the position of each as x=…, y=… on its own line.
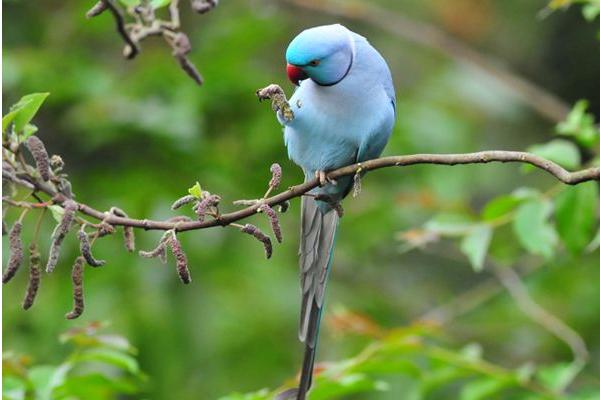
x=344, y=112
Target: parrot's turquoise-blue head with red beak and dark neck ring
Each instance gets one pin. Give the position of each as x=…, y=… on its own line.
x=323, y=54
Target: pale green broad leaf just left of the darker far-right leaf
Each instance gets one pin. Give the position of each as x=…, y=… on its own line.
x=532, y=228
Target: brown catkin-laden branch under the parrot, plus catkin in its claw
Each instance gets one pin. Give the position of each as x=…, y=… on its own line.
x=44, y=177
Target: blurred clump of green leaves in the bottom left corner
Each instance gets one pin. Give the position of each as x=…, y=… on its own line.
x=99, y=366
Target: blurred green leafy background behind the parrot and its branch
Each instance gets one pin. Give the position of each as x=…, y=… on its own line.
x=138, y=134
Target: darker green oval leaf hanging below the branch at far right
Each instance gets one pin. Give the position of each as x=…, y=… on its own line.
x=575, y=215
